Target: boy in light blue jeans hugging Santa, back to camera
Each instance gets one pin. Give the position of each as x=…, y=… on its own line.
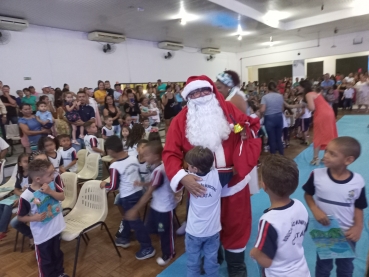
x=203, y=221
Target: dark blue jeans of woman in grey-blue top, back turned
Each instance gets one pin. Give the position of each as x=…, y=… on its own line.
x=274, y=126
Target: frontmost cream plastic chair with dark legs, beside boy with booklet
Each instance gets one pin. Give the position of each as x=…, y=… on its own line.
x=89, y=212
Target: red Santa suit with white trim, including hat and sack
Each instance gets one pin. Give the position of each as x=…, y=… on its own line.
x=233, y=155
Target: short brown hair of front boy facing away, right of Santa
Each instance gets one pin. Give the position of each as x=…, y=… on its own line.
x=280, y=175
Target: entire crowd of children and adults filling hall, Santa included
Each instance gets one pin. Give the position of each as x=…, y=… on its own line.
x=214, y=134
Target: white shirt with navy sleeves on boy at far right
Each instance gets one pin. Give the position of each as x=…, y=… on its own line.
x=337, y=198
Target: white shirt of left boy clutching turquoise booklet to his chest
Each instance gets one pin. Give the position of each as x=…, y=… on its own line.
x=41, y=231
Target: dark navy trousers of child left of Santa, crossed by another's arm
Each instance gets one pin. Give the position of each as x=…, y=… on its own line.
x=137, y=225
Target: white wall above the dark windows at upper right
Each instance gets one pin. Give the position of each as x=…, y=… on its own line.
x=309, y=51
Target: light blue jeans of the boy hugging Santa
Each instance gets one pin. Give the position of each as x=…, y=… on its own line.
x=207, y=245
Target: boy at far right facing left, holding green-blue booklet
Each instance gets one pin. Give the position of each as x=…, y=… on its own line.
x=335, y=190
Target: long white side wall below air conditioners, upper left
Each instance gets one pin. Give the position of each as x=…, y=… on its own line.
x=54, y=56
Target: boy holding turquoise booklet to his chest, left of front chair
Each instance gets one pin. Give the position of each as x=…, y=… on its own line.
x=39, y=204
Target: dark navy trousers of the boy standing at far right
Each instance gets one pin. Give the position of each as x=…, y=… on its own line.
x=345, y=267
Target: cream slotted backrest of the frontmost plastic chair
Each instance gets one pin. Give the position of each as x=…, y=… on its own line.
x=91, y=201
